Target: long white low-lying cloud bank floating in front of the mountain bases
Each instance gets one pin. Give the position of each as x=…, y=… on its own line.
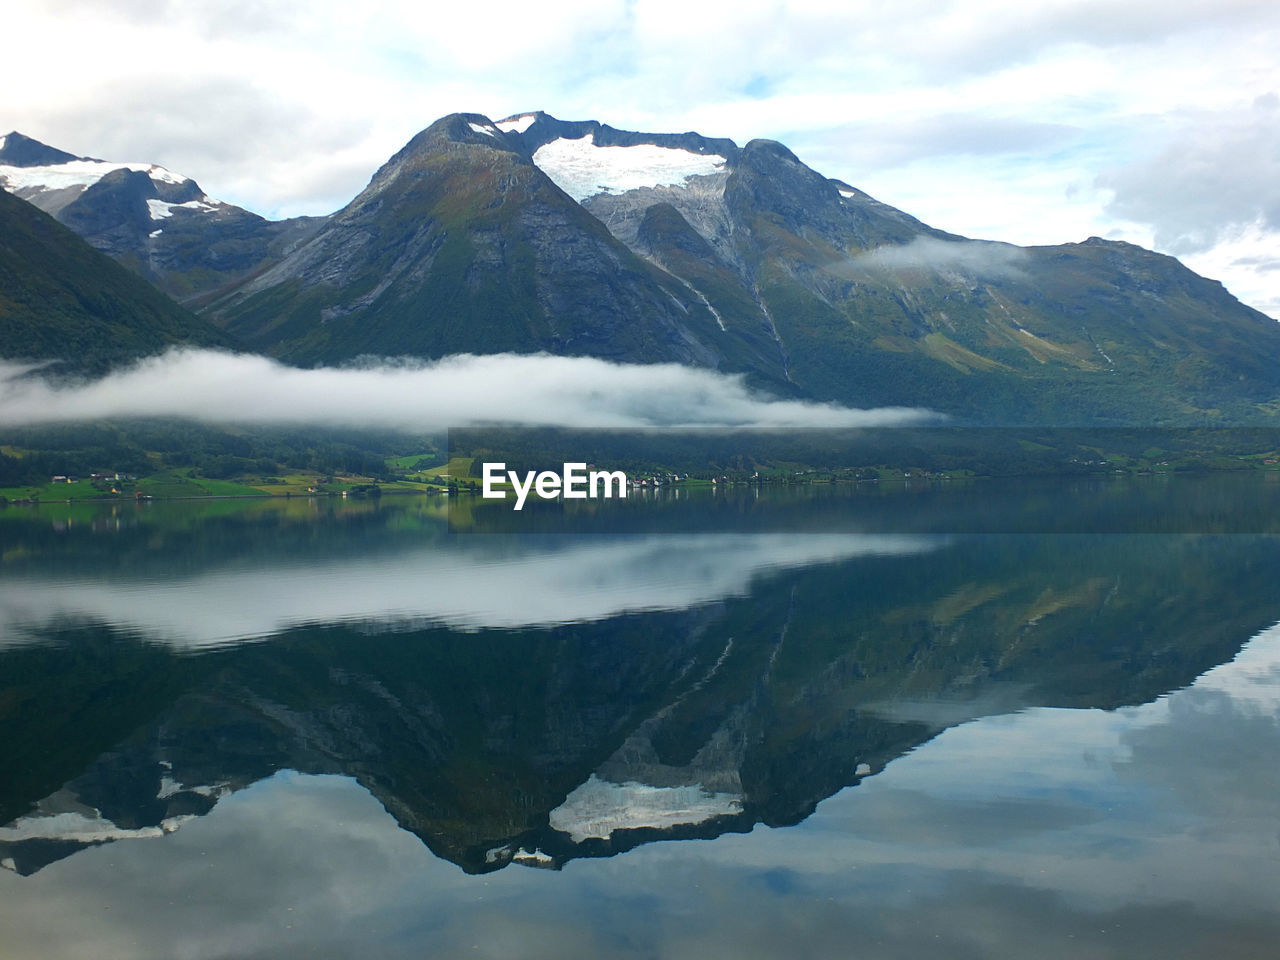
x=461, y=391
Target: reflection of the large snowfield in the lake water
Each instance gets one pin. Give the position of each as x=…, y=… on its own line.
x=598, y=808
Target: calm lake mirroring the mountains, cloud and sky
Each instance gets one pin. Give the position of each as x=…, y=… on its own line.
x=985, y=720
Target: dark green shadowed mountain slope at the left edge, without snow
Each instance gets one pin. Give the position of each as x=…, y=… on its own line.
x=63, y=300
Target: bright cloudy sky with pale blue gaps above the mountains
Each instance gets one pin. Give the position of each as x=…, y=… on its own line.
x=1043, y=122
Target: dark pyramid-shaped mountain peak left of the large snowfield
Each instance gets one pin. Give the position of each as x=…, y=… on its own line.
x=461, y=244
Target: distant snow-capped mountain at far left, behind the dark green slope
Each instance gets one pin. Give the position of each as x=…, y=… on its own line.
x=158, y=223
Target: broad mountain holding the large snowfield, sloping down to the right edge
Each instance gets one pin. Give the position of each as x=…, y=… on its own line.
x=872, y=307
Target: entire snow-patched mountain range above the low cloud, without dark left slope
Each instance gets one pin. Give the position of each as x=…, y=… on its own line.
x=575, y=239
